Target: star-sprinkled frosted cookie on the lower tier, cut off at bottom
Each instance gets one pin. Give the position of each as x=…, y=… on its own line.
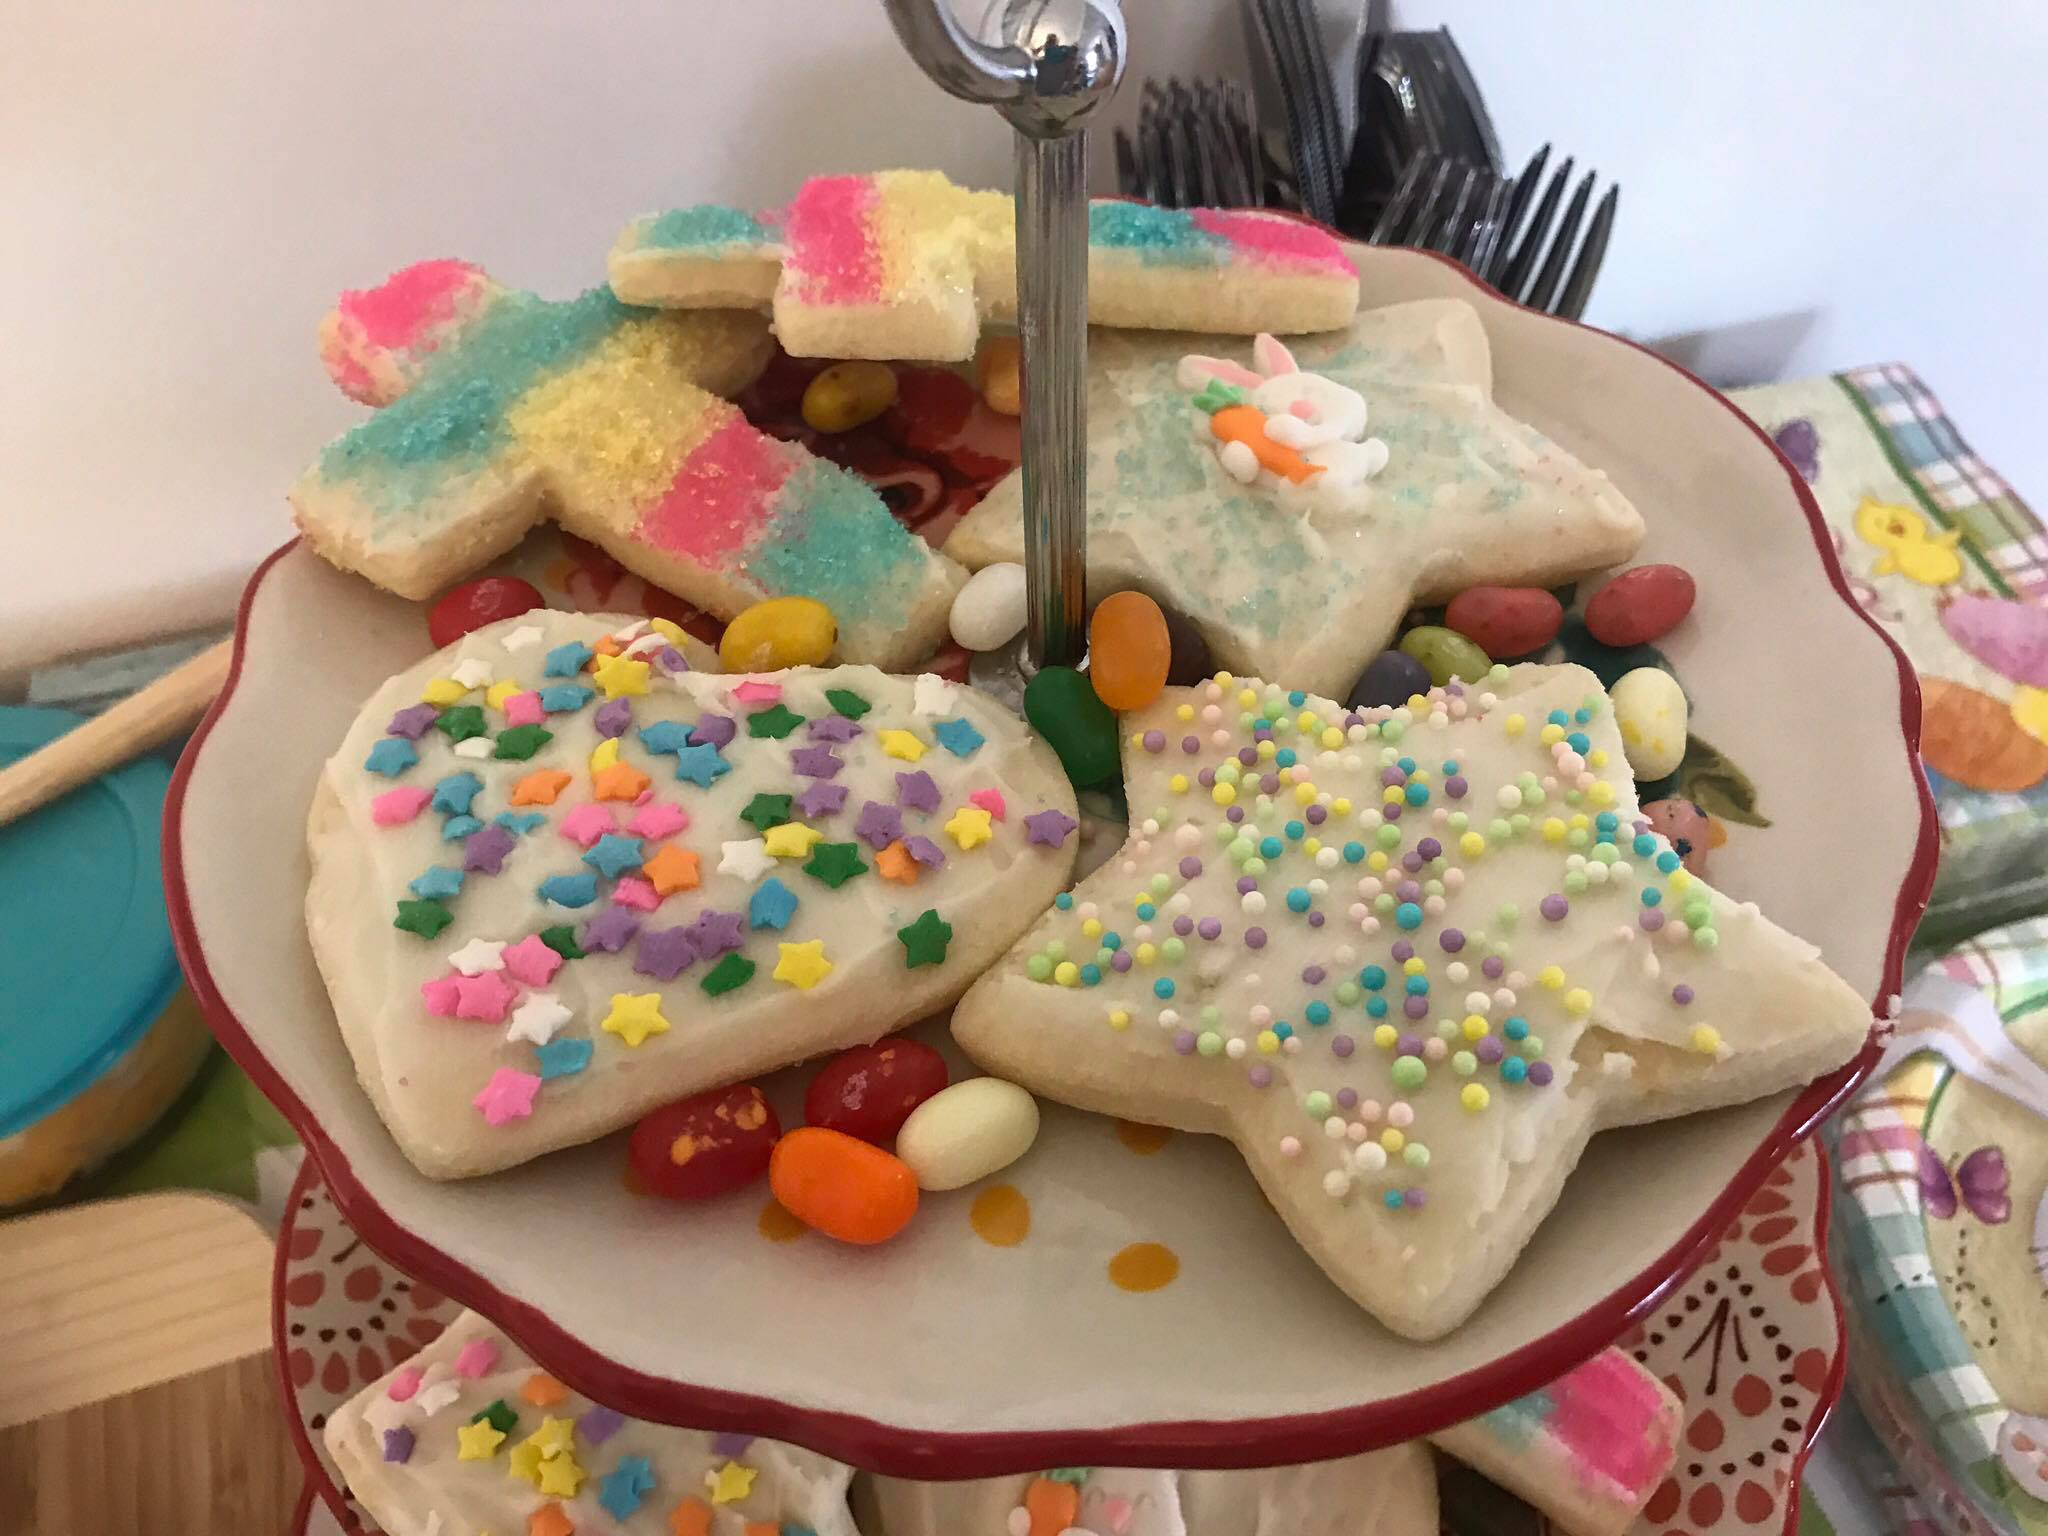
x=470, y=1437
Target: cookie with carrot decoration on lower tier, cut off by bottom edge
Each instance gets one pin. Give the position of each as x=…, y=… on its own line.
x=1381, y=1494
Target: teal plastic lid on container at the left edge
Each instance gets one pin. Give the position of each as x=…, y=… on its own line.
x=85, y=947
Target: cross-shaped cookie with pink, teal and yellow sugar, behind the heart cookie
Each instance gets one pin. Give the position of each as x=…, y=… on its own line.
x=501, y=409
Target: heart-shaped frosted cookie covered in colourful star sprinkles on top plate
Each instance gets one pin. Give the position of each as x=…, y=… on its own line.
x=560, y=878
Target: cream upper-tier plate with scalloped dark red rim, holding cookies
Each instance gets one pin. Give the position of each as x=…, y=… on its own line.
x=945, y=1357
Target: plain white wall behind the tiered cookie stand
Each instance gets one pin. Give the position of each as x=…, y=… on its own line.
x=185, y=187
